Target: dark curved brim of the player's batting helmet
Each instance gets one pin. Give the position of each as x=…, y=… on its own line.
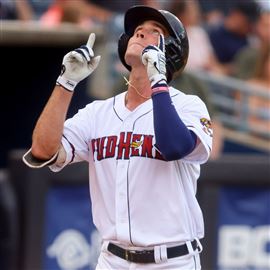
x=138, y=14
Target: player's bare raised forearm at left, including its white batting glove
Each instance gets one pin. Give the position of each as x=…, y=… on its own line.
x=76, y=66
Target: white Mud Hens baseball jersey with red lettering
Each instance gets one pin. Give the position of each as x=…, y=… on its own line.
x=138, y=198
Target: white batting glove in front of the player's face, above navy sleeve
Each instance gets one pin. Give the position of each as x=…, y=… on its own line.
x=153, y=57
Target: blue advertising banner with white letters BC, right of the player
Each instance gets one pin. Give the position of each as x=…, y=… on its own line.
x=244, y=229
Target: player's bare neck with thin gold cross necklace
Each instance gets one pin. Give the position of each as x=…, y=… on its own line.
x=139, y=89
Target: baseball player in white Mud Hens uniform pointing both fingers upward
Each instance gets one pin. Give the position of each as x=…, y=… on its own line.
x=144, y=147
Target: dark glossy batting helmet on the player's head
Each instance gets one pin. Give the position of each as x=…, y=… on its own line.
x=176, y=44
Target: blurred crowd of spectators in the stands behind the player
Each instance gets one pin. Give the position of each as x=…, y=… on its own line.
x=230, y=38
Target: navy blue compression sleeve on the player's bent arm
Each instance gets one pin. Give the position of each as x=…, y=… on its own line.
x=173, y=139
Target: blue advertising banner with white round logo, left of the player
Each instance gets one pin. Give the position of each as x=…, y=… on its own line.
x=71, y=241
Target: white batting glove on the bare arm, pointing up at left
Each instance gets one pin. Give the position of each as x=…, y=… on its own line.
x=78, y=64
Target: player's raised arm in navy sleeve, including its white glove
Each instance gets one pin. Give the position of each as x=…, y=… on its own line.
x=173, y=138
